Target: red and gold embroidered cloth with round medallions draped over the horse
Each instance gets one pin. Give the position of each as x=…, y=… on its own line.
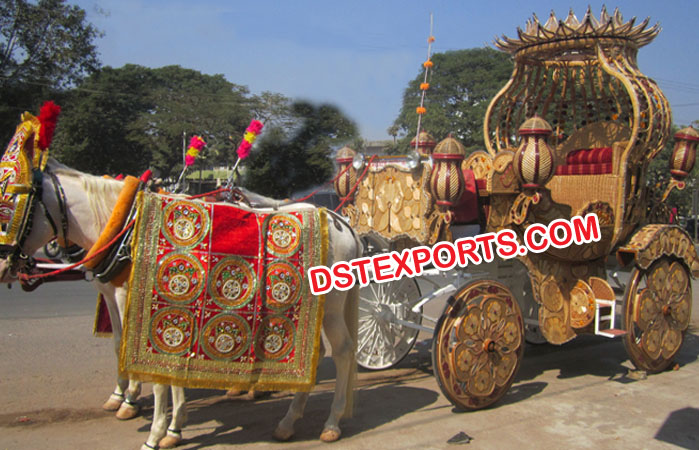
x=219, y=298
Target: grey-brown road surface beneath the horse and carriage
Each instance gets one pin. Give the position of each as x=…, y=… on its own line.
x=54, y=375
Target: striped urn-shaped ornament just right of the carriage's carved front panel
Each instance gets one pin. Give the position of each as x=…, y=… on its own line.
x=446, y=179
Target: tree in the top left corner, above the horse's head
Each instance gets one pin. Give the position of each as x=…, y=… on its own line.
x=44, y=46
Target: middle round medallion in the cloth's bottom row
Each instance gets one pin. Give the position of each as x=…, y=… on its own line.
x=226, y=336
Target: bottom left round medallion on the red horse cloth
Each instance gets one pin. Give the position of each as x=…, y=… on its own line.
x=171, y=330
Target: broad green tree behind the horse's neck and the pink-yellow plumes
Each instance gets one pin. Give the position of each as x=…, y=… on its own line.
x=128, y=119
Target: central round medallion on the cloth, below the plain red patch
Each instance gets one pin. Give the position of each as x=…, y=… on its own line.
x=232, y=282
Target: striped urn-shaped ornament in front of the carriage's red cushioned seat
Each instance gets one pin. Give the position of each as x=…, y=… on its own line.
x=533, y=161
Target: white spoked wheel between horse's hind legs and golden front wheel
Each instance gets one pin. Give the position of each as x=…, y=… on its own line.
x=383, y=342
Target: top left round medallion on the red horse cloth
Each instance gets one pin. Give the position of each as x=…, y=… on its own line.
x=185, y=223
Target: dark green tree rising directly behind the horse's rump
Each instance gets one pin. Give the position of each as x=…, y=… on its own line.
x=292, y=158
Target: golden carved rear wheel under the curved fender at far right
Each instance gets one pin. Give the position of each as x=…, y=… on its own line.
x=657, y=309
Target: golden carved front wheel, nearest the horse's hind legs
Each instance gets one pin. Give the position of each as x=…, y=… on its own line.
x=478, y=345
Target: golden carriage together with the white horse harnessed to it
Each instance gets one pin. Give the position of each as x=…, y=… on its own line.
x=589, y=123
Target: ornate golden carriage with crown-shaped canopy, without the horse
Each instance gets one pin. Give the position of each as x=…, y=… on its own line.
x=589, y=122
